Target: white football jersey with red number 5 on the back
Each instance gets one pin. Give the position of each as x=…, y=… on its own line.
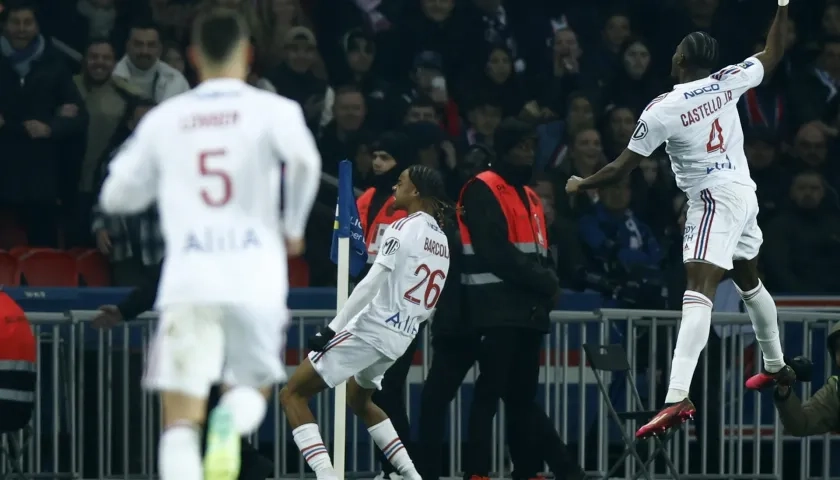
x=215, y=159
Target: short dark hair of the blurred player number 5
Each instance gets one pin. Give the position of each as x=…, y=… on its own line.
x=217, y=33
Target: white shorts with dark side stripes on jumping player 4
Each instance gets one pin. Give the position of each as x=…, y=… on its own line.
x=721, y=226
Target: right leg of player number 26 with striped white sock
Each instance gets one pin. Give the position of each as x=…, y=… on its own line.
x=360, y=390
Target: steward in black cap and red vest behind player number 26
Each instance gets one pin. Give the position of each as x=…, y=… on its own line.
x=393, y=152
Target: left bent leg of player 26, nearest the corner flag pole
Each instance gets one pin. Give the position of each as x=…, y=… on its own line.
x=326, y=369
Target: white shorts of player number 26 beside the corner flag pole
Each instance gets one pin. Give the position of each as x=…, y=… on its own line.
x=347, y=355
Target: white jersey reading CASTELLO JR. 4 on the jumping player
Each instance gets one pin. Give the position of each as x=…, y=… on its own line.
x=700, y=125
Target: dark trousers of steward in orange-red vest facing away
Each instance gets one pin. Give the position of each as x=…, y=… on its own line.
x=509, y=363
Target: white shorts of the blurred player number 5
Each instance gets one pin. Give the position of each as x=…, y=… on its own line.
x=196, y=346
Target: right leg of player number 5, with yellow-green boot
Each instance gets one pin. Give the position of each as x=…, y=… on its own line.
x=254, y=340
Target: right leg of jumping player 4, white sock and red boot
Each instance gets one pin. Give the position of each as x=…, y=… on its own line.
x=761, y=308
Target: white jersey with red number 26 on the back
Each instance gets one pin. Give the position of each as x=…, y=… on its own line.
x=416, y=252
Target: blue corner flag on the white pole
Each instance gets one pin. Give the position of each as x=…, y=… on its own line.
x=347, y=223
